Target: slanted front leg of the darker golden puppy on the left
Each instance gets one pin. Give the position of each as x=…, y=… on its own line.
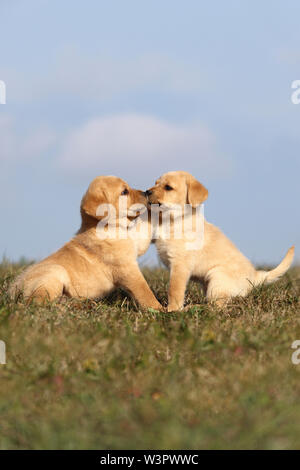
x=134, y=282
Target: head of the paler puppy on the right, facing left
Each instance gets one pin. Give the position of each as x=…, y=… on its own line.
x=177, y=188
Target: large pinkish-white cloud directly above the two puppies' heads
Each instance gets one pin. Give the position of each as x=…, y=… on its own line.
x=123, y=144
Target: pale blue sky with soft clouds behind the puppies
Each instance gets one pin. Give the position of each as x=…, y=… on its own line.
x=138, y=88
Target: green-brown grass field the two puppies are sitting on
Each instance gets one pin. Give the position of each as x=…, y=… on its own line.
x=105, y=375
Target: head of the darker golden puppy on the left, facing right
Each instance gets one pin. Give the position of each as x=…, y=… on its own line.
x=113, y=192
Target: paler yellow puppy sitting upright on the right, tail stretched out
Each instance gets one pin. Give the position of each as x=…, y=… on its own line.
x=204, y=254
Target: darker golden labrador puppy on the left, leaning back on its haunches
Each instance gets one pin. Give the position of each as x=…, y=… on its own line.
x=94, y=262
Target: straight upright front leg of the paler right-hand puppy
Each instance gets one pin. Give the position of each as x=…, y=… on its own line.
x=179, y=278
